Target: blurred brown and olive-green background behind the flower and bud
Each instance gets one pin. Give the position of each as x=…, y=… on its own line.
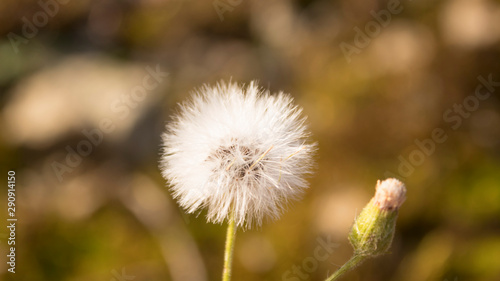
x=407, y=89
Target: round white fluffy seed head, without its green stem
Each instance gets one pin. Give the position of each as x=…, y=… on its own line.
x=237, y=148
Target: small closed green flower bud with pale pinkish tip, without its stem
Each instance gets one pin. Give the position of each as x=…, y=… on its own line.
x=373, y=229
